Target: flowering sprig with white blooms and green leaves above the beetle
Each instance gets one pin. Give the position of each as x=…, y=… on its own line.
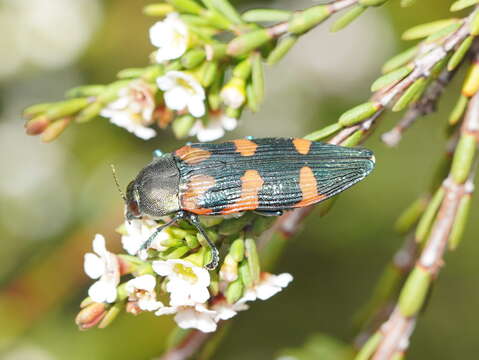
x=207, y=67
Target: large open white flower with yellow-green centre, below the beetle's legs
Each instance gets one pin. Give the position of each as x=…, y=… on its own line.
x=187, y=283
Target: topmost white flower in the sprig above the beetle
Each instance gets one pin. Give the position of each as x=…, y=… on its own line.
x=170, y=36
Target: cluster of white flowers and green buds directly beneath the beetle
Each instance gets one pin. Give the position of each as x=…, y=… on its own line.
x=172, y=279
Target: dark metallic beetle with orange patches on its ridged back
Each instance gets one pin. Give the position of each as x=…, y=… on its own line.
x=266, y=175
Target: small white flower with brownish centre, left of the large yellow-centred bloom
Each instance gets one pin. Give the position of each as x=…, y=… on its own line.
x=142, y=290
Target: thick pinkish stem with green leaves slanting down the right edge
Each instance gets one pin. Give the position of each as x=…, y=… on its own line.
x=457, y=188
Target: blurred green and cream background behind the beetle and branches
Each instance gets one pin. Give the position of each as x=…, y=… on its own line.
x=55, y=197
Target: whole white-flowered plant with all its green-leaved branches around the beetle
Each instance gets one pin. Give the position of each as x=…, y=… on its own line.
x=206, y=69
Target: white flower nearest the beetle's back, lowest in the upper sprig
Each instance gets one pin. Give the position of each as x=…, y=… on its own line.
x=214, y=129
